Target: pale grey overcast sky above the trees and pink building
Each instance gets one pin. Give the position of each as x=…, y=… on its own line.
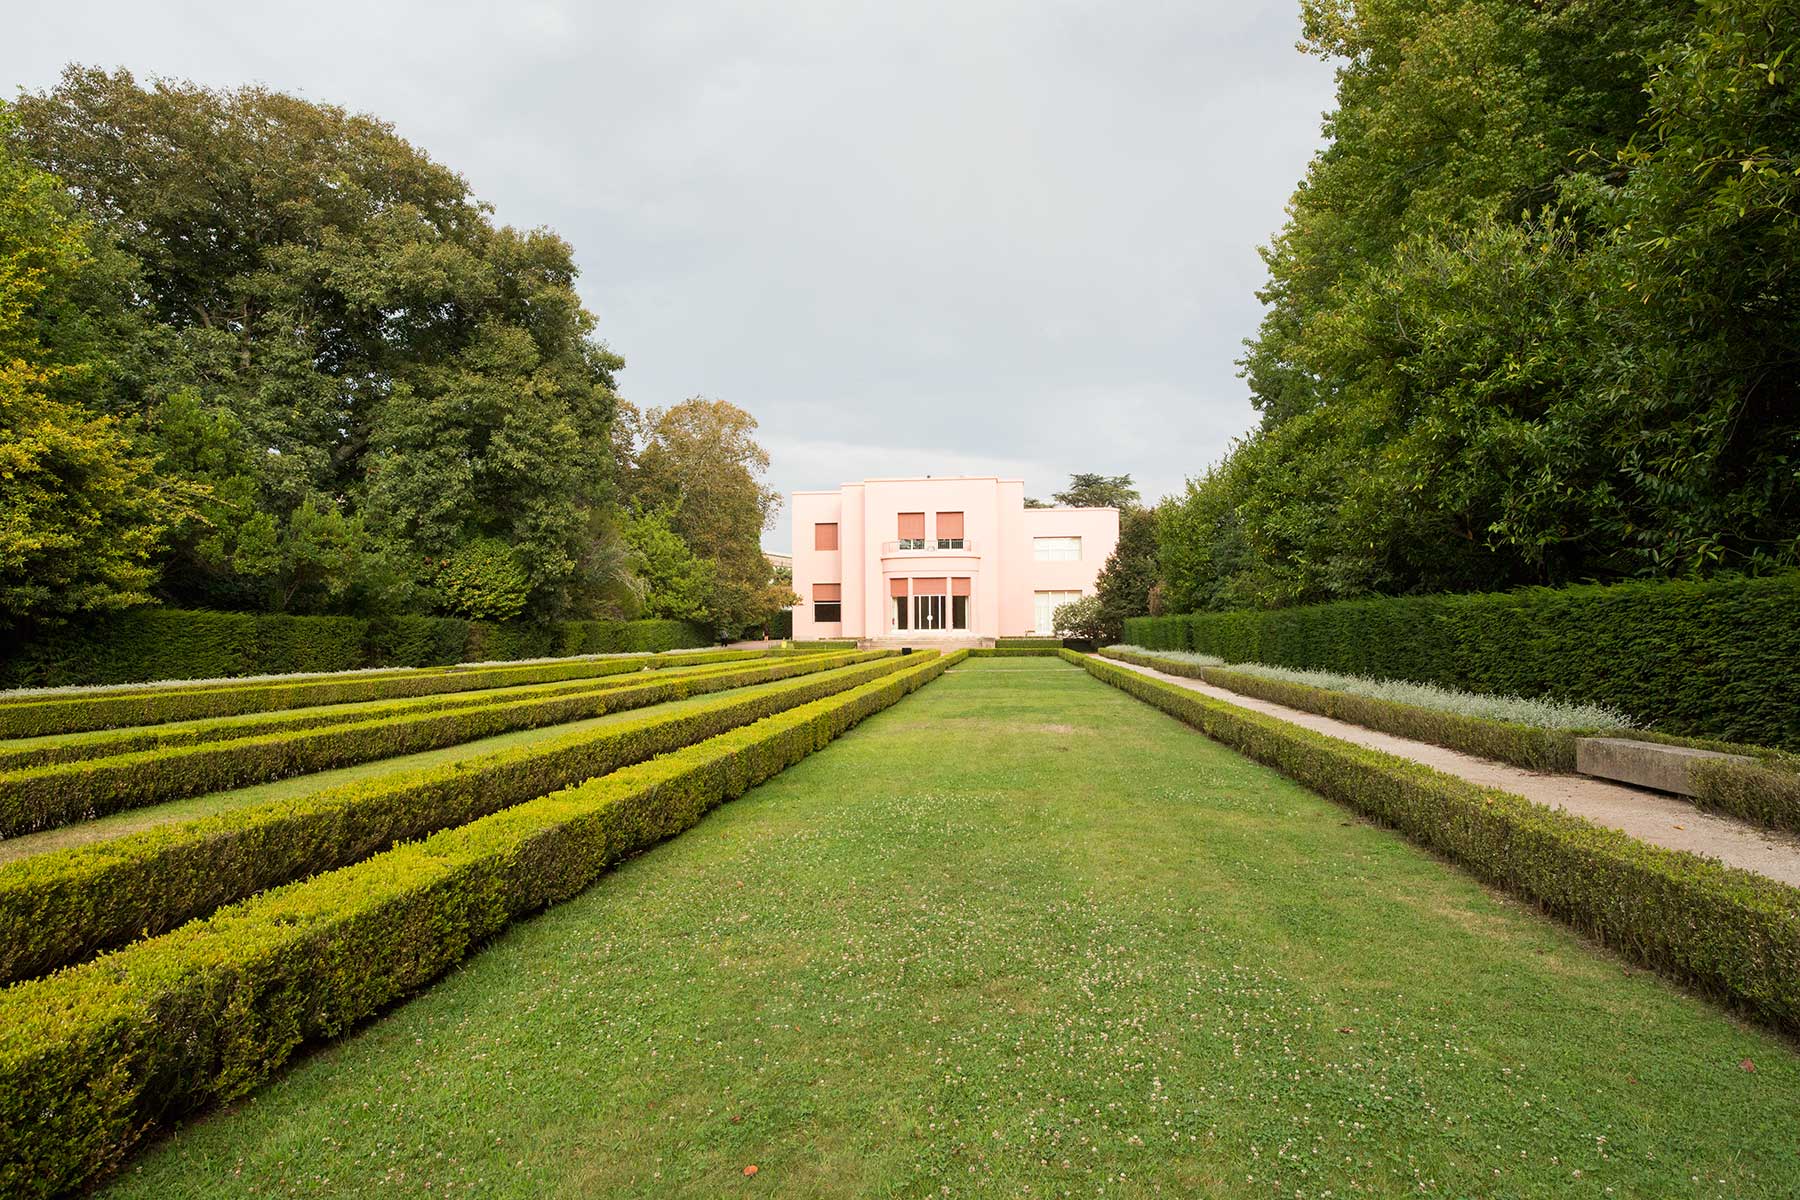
x=910, y=238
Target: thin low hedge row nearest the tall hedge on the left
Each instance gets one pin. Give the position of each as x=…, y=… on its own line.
x=35, y=717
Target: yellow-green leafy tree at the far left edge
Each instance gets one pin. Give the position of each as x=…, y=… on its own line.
x=82, y=510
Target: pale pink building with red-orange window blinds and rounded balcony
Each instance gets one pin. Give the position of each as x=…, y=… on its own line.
x=958, y=559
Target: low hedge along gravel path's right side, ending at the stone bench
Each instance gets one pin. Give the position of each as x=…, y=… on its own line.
x=1522, y=746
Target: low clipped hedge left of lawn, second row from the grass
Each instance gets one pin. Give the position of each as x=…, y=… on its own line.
x=66, y=906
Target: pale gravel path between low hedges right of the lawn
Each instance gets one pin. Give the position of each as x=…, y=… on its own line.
x=1646, y=816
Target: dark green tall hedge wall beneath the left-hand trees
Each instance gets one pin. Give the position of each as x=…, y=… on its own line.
x=175, y=643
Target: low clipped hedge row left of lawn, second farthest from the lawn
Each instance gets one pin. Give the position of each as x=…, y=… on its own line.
x=111, y=742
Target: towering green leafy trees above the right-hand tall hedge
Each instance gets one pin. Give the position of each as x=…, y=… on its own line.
x=1533, y=316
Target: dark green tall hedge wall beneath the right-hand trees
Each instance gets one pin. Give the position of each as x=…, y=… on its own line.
x=1698, y=659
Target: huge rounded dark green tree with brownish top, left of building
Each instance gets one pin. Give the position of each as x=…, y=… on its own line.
x=370, y=372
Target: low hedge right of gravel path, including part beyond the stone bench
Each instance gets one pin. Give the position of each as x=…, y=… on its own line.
x=1765, y=793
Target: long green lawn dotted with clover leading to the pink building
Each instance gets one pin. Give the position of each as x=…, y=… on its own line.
x=1025, y=936
